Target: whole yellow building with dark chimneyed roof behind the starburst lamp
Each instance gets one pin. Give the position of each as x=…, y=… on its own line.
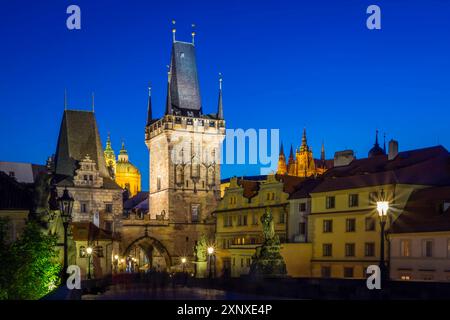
x=344, y=224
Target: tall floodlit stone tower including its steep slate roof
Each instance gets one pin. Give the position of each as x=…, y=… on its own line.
x=185, y=147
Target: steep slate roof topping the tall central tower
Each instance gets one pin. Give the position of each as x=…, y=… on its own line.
x=184, y=85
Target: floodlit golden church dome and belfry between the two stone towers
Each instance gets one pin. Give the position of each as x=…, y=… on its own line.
x=124, y=173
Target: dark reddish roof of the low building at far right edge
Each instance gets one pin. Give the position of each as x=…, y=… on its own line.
x=427, y=210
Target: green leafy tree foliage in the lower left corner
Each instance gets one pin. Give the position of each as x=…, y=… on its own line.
x=29, y=267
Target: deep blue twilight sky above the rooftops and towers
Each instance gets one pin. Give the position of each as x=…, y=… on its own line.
x=286, y=64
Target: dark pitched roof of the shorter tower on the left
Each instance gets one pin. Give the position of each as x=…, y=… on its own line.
x=78, y=136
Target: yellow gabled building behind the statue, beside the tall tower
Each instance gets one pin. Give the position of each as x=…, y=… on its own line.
x=239, y=230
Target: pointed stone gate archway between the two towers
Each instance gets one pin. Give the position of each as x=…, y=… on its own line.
x=153, y=251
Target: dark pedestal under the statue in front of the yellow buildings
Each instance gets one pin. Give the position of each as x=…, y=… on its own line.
x=267, y=261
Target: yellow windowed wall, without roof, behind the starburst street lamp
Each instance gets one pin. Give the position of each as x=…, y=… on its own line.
x=345, y=229
